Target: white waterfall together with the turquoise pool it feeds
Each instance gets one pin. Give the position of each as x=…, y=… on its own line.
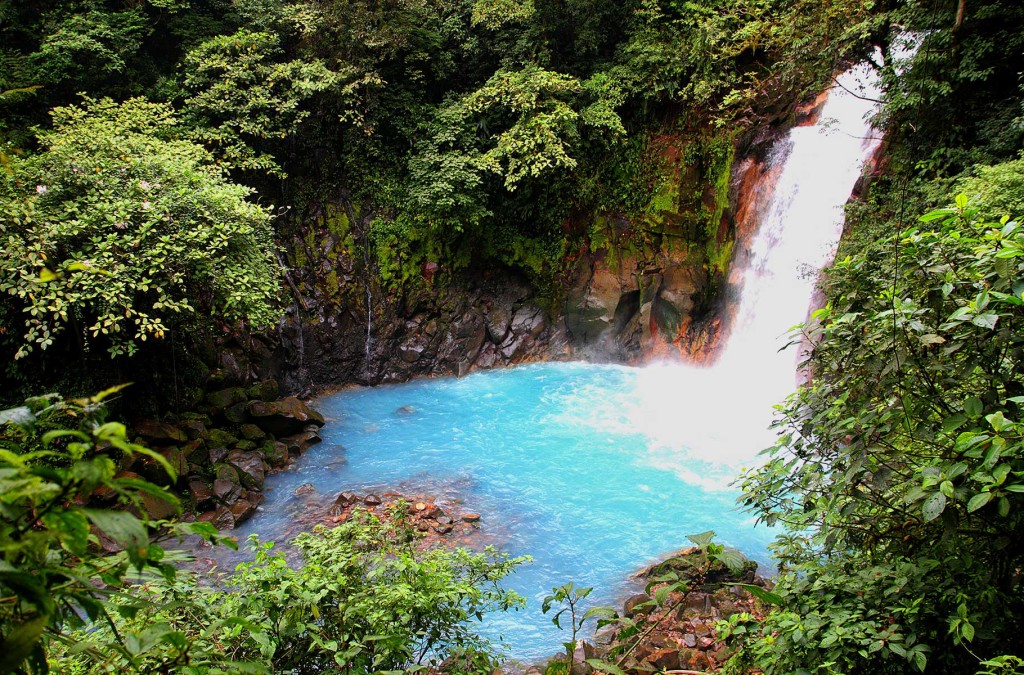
x=596, y=470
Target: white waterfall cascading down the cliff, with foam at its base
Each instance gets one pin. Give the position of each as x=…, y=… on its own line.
x=727, y=408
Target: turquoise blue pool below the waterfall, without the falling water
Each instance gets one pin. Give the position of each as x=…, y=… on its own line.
x=551, y=457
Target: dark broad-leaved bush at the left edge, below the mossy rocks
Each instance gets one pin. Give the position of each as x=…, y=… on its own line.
x=64, y=502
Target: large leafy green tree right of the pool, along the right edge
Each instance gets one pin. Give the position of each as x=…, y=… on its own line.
x=900, y=472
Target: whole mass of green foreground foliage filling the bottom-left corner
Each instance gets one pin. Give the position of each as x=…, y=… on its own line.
x=88, y=585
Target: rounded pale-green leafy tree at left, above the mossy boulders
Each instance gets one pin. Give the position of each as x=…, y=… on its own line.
x=121, y=232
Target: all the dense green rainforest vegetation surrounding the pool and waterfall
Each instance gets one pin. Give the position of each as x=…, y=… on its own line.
x=159, y=155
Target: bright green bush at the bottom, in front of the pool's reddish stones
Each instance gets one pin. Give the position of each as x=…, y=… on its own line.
x=364, y=601
